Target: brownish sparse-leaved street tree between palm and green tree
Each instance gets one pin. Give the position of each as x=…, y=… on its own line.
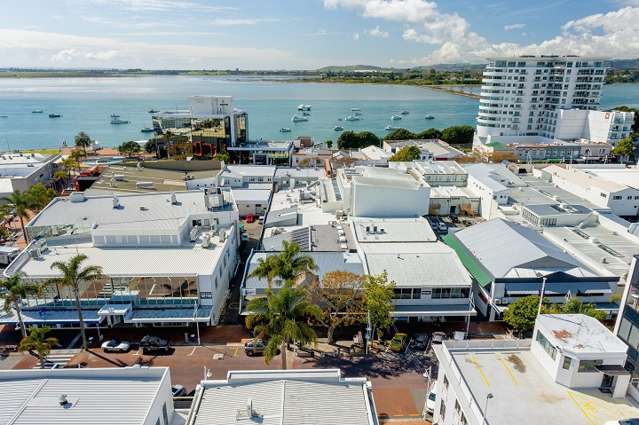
x=340, y=295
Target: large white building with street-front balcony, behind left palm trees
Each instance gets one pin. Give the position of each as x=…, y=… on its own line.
x=167, y=258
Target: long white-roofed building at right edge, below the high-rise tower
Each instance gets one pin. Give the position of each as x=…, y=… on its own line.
x=606, y=188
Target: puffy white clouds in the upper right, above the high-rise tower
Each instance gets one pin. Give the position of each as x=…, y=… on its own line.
x=608, y=35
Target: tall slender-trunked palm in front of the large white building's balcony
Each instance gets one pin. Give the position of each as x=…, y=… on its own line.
x=72, y=274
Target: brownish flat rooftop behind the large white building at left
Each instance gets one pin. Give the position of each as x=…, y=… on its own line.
x=124, y=179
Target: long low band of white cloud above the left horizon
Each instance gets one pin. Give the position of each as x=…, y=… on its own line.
x=22, y=48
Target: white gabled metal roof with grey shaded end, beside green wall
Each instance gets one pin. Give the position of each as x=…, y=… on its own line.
x=508, y=249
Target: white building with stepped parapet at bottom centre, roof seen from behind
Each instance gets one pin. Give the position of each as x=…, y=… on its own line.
x=286, y=397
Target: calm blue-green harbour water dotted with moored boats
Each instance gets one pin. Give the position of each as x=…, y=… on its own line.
x=87, y=103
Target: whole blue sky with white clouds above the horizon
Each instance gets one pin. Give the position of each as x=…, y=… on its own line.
x=307, y=34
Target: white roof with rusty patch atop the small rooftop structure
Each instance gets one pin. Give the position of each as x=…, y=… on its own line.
x=578, y=333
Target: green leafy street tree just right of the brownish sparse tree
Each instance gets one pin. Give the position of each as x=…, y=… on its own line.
x=378, y=301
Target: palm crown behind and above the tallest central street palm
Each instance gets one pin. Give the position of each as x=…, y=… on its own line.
x=288, y=265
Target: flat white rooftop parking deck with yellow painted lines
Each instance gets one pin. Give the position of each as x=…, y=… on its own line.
x=525, y=394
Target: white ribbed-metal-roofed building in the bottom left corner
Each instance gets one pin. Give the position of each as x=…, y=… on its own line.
x=126, y=396
